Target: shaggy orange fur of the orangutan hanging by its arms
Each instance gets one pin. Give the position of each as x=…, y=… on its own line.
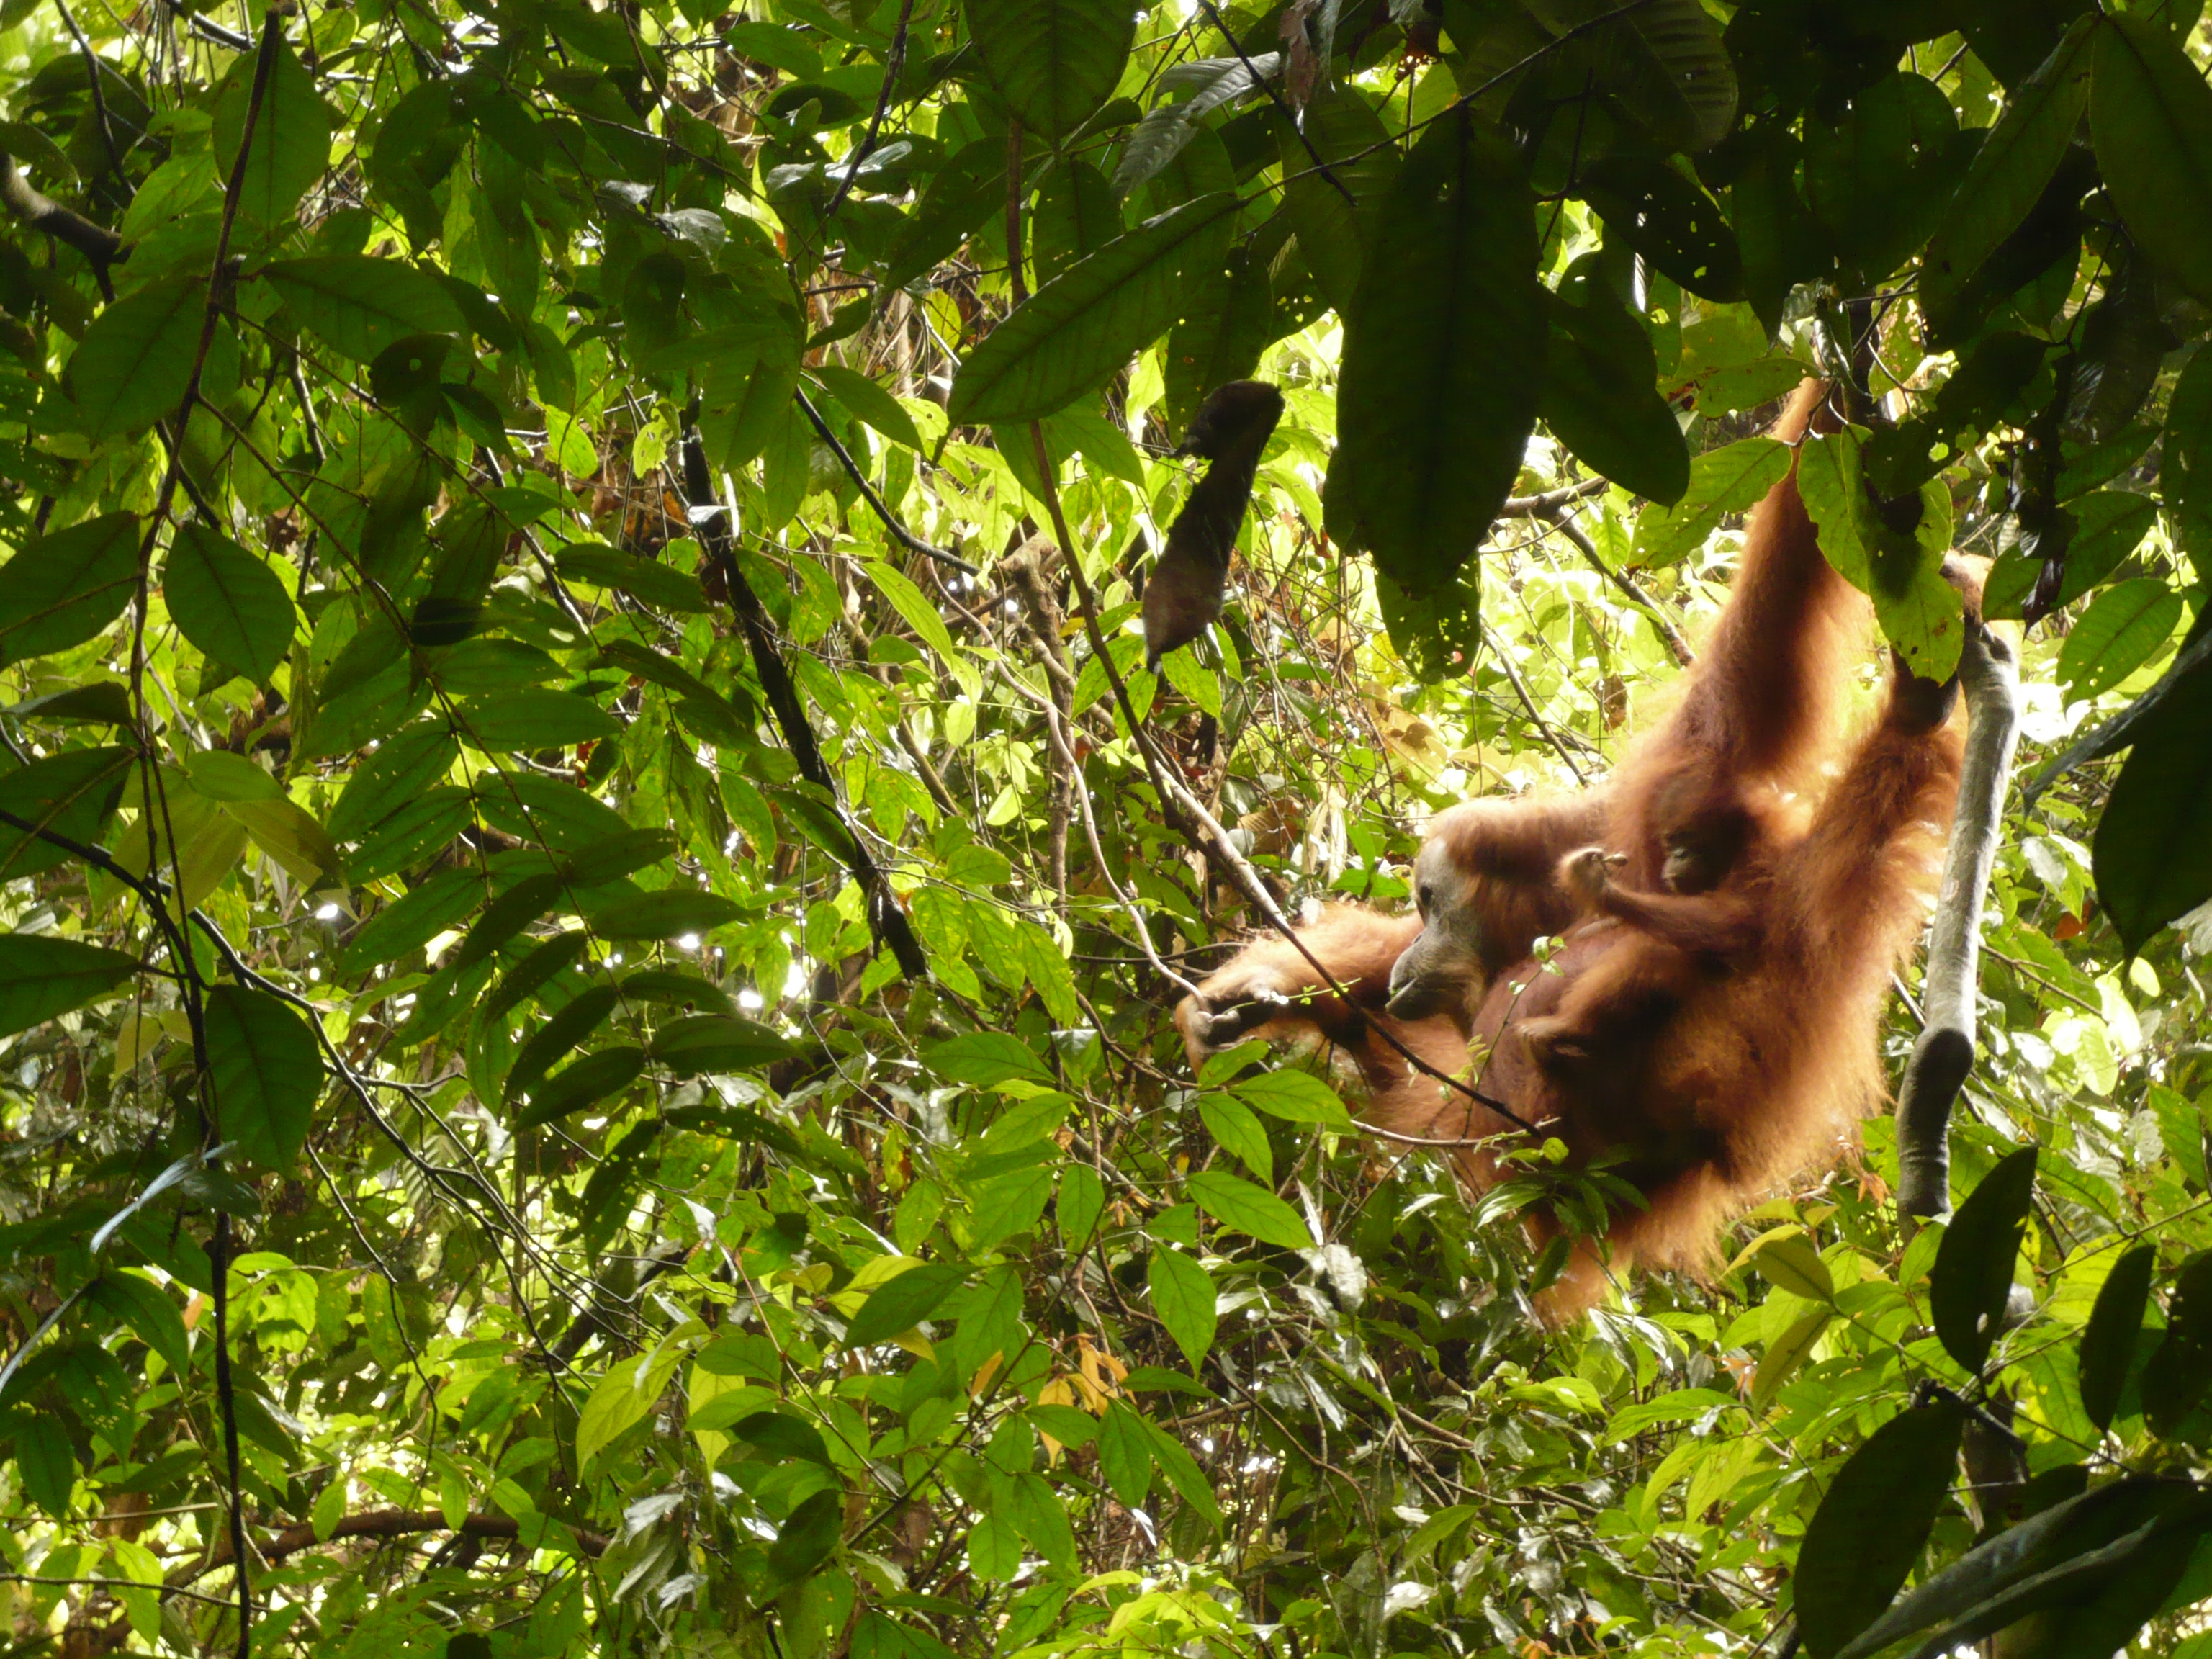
x=1726, y=1039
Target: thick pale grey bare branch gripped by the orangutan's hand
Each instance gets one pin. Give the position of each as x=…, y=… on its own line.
x=1941, y=1058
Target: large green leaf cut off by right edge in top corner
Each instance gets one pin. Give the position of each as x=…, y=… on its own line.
x=2151, y=121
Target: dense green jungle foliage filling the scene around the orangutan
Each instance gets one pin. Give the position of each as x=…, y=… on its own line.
x=594, y=877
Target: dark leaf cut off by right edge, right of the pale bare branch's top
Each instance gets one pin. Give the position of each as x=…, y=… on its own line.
x=2153, y=848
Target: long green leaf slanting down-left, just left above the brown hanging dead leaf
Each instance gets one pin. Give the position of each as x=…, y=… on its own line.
x=1083, y=328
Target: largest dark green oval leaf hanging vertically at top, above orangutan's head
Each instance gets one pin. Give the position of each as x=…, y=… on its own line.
x=1443, y=362
